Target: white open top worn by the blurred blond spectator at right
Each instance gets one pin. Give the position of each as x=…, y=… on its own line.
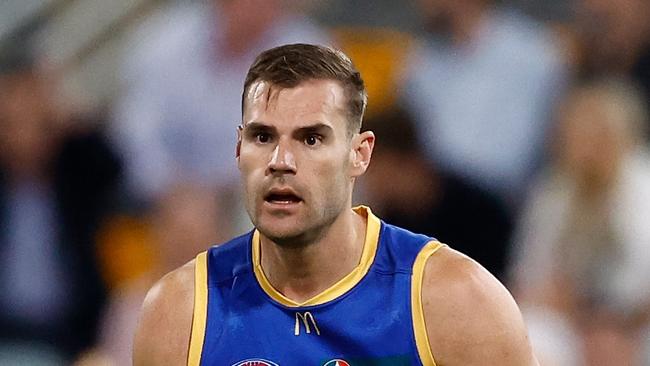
x=538, y=240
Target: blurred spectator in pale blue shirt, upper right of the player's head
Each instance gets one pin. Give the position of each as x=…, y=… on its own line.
x=482, y=86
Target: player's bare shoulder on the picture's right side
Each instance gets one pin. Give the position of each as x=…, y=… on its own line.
x=471, y=318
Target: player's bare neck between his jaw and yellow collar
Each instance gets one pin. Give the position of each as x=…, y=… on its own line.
x=300, y=273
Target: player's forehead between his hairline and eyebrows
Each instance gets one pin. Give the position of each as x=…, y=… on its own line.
x=310, y=101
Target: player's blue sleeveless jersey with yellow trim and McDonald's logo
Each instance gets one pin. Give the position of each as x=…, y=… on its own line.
x=373, y=316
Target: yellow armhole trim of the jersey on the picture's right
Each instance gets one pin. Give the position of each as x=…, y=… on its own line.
x=417, y=310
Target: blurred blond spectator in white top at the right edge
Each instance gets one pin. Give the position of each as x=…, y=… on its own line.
x=582, y=247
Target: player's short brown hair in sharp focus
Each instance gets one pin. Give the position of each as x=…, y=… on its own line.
x=289, y=65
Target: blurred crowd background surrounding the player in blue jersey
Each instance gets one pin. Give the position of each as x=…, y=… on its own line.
x=514, y=130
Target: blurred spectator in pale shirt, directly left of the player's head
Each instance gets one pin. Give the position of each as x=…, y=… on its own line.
x=183, y=74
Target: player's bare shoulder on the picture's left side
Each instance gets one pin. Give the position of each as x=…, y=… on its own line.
x=163, y=332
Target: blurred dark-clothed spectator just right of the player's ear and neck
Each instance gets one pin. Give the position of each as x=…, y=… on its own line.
x=407, y=189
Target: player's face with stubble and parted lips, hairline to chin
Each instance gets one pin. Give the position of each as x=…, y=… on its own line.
x=297, y=159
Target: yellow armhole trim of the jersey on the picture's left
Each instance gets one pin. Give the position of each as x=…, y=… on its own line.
x=200, y=310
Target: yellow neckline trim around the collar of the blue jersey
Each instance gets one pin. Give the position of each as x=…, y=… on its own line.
x=341, y=287
